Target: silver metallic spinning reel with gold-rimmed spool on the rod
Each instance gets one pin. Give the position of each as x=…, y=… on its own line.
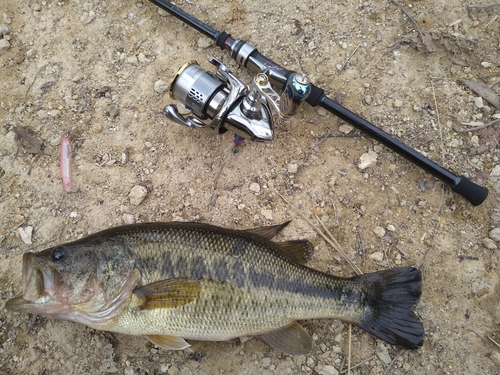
x=227, y=103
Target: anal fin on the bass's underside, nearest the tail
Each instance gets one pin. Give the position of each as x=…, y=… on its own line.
x=292, y=339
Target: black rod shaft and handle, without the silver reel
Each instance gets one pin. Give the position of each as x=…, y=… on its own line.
x=474, y=193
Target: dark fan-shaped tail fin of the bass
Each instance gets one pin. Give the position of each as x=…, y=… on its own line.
x=389, y=317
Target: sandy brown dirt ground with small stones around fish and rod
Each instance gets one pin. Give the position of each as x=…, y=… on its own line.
x=90, y=67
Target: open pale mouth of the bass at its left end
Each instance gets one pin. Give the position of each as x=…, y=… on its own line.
x=39, y=287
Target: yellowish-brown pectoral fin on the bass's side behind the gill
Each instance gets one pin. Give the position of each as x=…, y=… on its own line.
x=168, y=293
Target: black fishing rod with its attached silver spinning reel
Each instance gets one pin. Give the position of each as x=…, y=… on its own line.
x=246, y=111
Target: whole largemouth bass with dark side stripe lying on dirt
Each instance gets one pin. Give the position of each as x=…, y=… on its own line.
x=176, y=281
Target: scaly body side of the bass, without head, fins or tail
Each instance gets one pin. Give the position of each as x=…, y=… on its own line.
x=241, y=292
